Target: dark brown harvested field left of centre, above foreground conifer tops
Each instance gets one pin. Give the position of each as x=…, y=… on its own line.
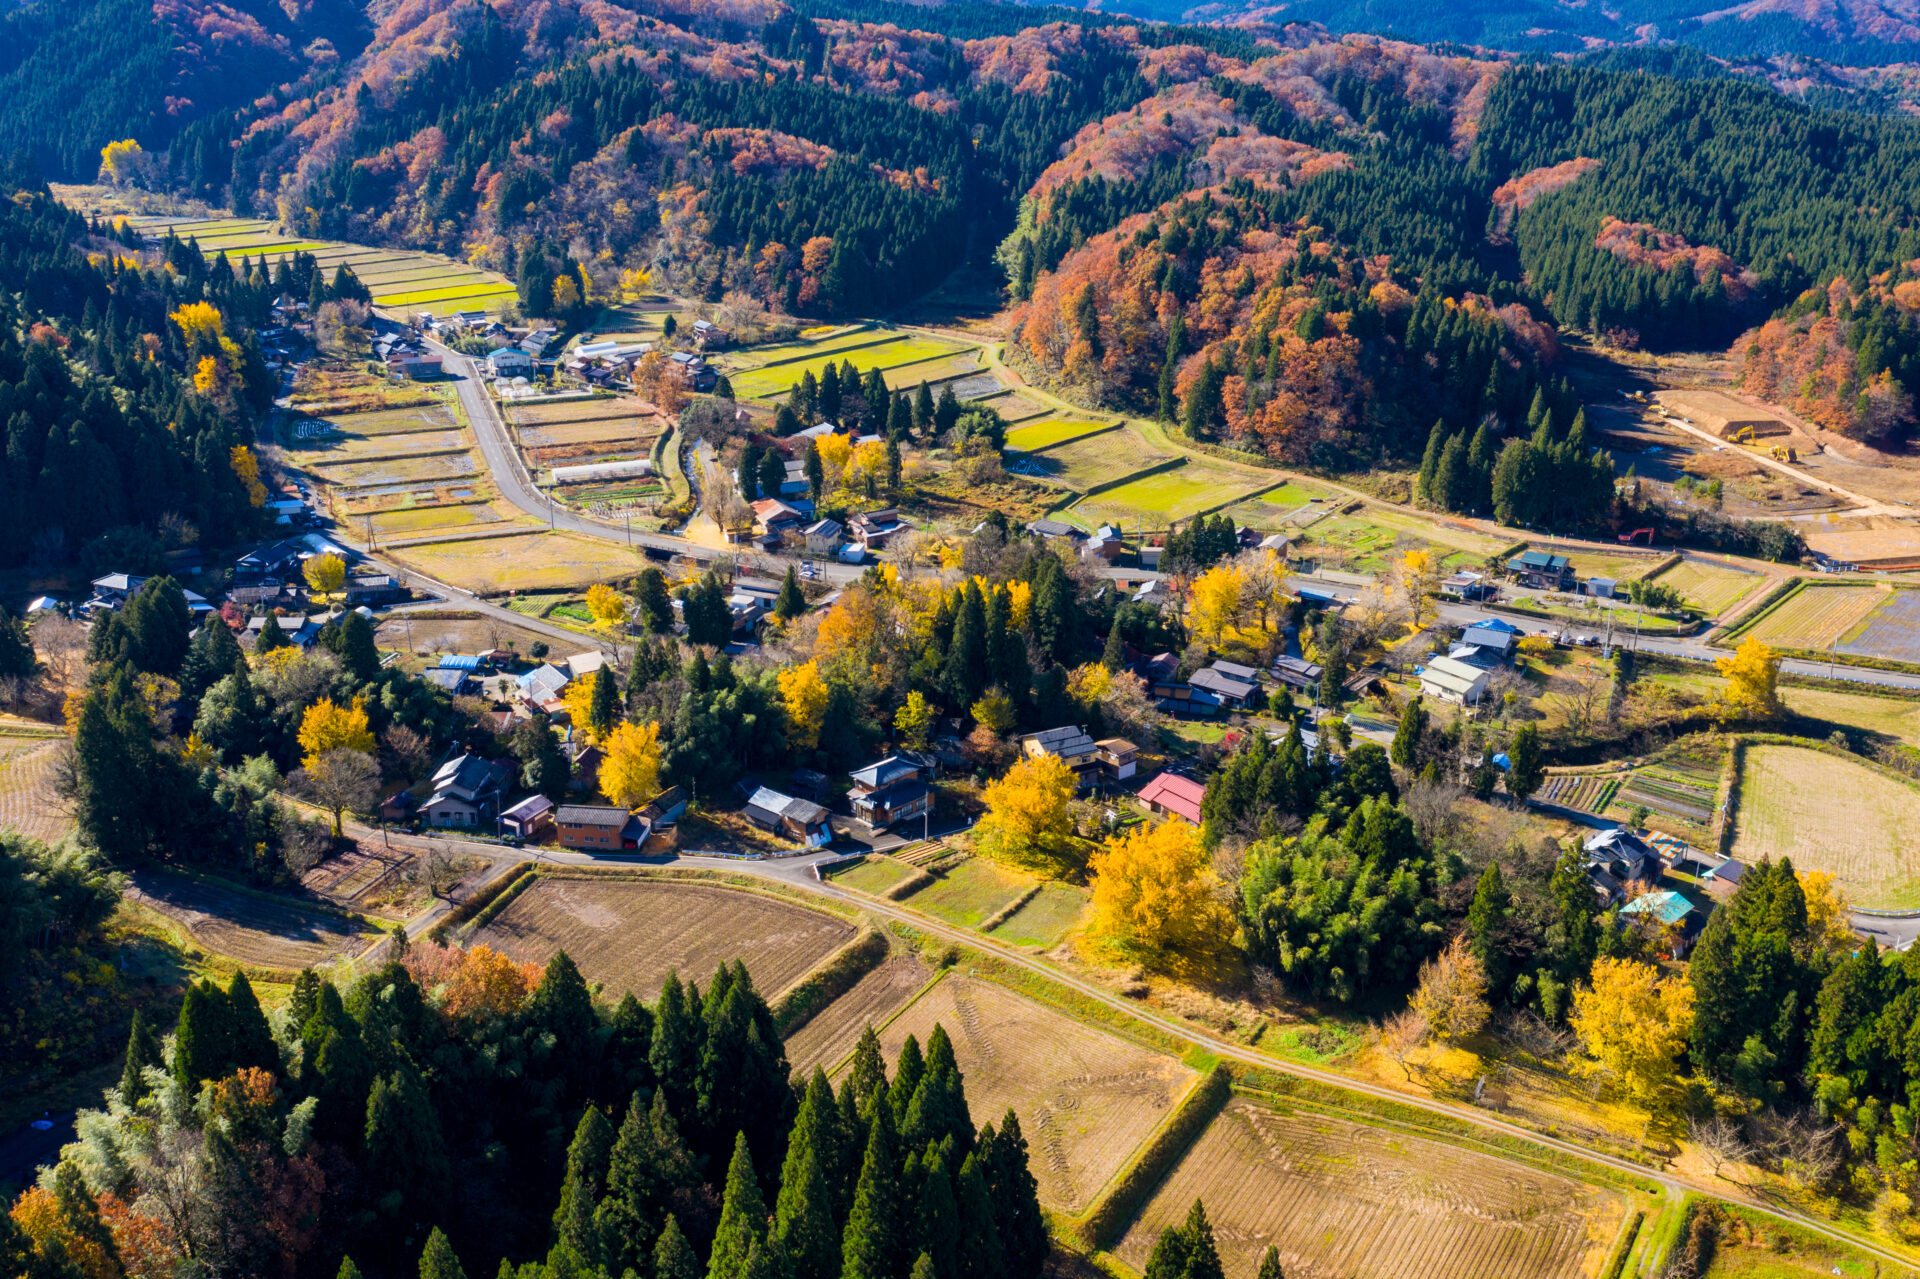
x=631, y=934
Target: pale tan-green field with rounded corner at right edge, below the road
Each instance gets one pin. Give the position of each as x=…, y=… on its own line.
x=1833, y=815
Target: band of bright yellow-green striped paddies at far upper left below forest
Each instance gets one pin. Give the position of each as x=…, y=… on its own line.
x=396, y=279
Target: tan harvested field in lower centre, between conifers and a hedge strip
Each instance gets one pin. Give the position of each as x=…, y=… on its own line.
x=1086, y=1099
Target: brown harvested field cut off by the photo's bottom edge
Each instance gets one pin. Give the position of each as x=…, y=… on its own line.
x=1362, y=1203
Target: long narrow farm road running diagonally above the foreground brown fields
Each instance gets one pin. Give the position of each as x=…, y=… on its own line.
x=802, y=873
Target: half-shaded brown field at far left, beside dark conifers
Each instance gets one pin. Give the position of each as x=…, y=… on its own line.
x=247, y=929
